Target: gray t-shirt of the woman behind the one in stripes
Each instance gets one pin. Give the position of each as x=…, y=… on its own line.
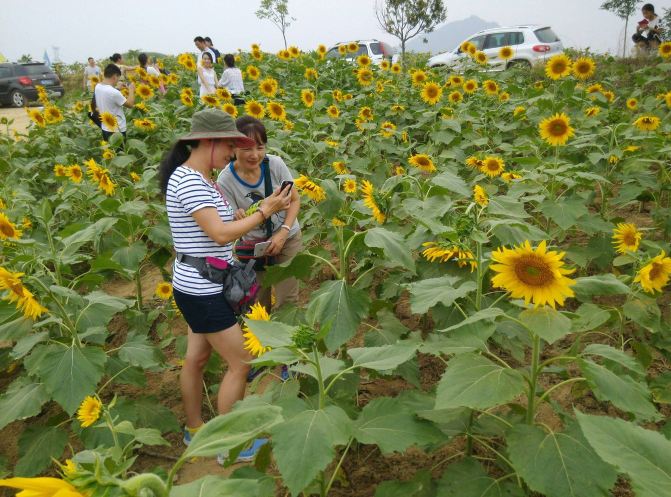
x=242, y=195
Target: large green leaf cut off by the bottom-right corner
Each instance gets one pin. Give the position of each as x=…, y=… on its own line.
x=643, y=455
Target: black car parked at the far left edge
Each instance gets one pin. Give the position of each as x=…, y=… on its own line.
x=17, y=83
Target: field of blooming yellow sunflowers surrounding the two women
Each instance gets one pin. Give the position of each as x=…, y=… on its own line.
x=484, y=310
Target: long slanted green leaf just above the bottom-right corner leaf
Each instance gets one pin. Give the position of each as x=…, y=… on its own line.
x=624, y=392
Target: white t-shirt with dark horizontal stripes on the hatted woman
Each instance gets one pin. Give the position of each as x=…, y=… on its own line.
x=188, y=191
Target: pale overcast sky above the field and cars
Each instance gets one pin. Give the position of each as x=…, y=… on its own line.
x=93, y=27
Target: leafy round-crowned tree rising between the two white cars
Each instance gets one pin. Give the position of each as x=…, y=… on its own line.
x=405, y=19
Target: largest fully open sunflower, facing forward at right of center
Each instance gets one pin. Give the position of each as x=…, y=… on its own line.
x=536, y=275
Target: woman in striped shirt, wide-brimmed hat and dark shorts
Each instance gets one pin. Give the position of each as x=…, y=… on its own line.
x=201, y=223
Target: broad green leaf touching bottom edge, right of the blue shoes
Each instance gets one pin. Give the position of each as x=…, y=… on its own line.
x=305, y=445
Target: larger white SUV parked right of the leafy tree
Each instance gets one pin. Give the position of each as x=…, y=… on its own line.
x=530, y=43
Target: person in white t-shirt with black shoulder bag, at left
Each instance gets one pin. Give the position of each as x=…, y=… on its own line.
x=109, y=99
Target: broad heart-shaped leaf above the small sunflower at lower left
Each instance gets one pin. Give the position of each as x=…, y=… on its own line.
x=68, y=373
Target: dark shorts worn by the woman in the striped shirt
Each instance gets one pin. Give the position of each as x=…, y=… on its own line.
x=205, y=313
